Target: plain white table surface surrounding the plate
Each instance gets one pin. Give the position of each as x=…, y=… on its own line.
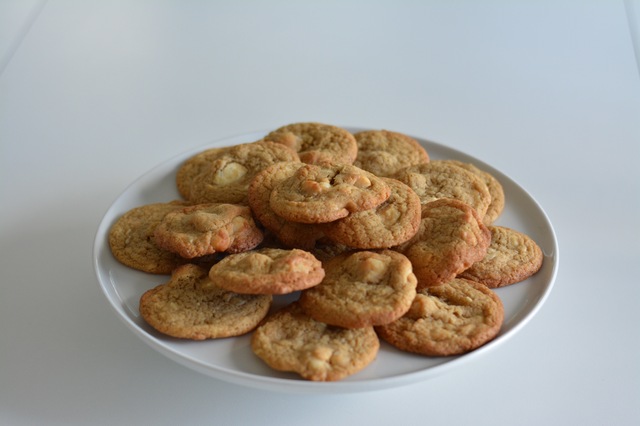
x=93, y=94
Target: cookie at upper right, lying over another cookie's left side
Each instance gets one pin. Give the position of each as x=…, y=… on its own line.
x=440, y=179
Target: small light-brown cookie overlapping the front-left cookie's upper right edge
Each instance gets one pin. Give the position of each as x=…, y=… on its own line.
x=267, y=271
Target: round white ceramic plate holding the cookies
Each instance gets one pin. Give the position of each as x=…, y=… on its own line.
x=232, y=359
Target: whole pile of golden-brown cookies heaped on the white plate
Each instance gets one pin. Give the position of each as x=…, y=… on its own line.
x=372, y=238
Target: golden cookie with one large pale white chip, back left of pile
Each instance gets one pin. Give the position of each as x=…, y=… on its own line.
x=223, y=176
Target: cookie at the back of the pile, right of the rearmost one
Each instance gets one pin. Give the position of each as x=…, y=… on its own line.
x=385, y=153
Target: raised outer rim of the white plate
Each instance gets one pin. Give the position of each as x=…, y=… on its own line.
x=304, y=386
